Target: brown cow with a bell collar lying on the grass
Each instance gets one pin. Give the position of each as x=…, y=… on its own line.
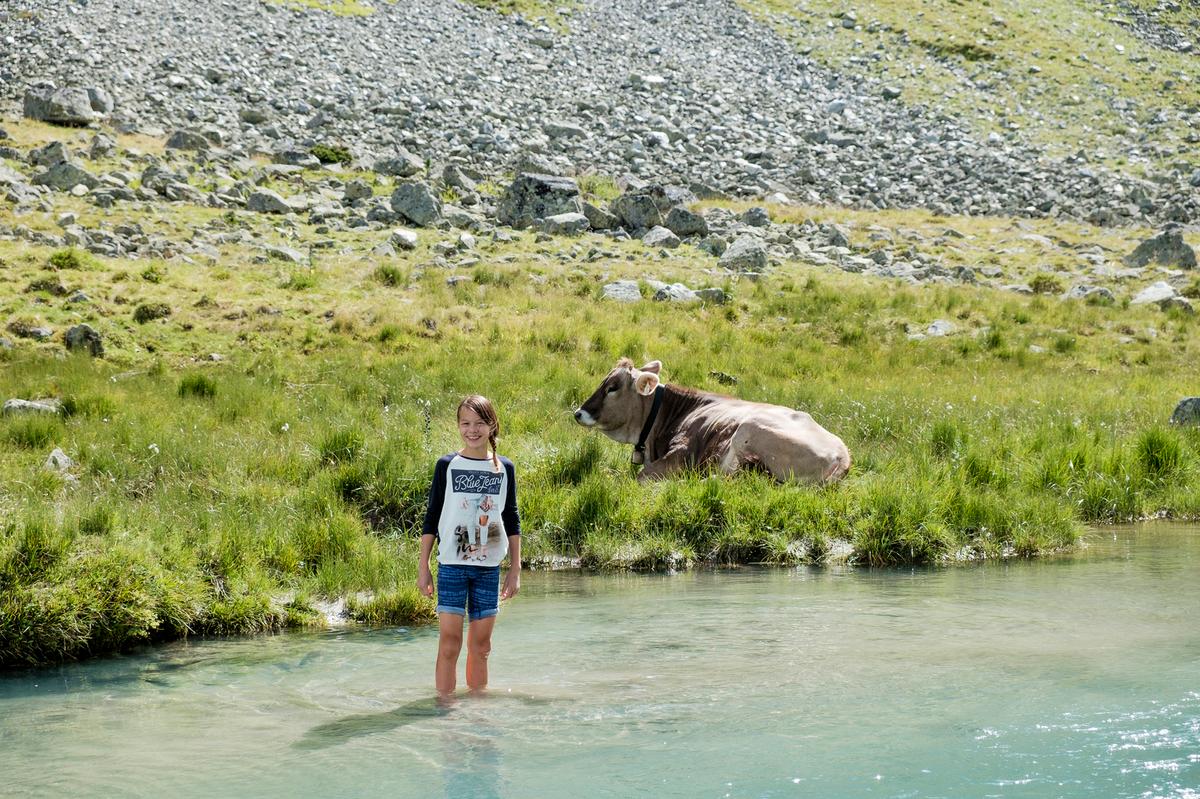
x=674, y=429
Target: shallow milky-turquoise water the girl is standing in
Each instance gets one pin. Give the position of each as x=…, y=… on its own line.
x=1071, y=677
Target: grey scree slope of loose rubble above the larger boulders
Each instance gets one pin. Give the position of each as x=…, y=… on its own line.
x=691, y=93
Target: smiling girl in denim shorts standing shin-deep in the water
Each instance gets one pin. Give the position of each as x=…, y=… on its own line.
x=473, y=516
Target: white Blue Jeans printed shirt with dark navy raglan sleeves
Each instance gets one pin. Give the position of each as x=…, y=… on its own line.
x=473, y=510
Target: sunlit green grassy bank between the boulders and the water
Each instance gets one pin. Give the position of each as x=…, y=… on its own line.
x=238, y=496
